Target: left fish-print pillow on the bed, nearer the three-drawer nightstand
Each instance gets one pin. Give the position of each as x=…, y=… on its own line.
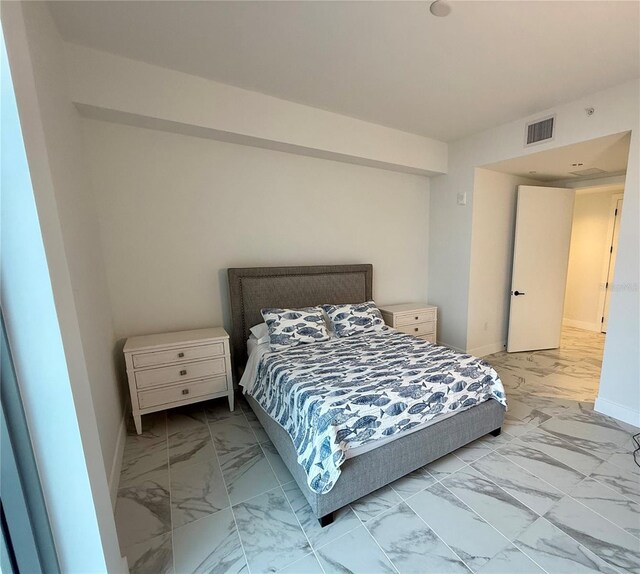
x=290, y=327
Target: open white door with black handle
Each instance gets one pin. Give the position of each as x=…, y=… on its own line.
x=540, y=260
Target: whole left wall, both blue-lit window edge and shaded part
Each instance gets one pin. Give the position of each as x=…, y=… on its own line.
x=62, y=354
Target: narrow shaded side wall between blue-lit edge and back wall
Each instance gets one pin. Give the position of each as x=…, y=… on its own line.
x=79, y=225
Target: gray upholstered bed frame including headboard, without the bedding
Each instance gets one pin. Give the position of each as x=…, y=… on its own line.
x=254, y=288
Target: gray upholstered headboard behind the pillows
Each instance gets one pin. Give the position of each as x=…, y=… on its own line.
x=254, y=288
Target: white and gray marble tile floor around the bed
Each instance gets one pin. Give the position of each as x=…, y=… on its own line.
x=203, y=490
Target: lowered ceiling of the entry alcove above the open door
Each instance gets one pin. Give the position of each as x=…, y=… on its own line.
x=609, y=153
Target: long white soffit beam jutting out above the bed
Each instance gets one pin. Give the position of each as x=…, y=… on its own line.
x=120, y=89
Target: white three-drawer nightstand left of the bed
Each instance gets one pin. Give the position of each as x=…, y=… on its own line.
x=172, y=369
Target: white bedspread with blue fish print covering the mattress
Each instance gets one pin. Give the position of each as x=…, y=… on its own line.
x=340, y=394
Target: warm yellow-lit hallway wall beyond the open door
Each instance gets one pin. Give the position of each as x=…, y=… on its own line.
x=588, y=258
